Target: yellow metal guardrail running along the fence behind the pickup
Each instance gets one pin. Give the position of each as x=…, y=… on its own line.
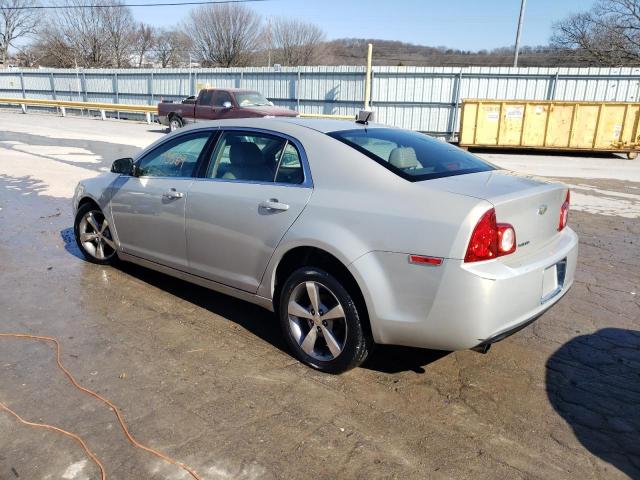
x=148, y=110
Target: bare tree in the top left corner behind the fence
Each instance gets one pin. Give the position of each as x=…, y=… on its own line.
x=16, y=21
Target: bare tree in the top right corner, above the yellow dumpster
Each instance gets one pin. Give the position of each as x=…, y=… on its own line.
x=608, y=34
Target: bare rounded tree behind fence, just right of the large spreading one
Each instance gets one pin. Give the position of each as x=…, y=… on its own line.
x=296, y=42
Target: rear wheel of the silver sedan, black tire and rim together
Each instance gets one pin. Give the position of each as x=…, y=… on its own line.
x=321, y=322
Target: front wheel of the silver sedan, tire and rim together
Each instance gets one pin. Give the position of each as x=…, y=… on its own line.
x=93, y=235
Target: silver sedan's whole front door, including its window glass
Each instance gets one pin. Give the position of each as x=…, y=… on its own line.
x=149, y=209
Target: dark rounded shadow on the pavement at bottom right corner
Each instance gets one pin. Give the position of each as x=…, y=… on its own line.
x=593, y=382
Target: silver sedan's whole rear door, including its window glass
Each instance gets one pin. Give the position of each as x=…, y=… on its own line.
x=255, y=186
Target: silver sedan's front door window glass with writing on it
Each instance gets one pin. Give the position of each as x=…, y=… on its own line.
x=175, y=158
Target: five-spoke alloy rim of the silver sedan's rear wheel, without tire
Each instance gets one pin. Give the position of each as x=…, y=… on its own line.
x=317, y=321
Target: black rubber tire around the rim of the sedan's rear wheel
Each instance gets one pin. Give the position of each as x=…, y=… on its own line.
x=356, y=344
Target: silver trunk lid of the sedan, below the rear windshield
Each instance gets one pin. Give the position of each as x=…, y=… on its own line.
x=530, y=204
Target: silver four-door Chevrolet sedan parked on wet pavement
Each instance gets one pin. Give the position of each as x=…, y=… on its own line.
x=353, y=234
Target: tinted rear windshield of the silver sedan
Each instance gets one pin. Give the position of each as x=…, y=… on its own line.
x=412, y=155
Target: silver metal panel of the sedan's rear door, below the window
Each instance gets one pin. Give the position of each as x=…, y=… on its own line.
x=230, y=236
